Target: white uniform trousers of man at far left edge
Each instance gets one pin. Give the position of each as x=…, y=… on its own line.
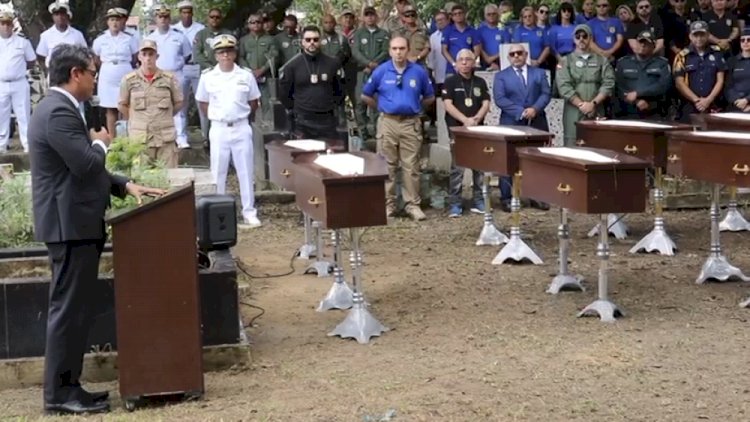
x=16, y=95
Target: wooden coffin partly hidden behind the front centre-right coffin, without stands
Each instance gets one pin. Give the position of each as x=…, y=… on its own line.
x=647, y=140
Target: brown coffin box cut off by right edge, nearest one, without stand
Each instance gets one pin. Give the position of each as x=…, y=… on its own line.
x=715, y=156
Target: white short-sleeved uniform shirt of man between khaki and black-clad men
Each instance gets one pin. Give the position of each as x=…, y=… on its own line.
x=228, y=94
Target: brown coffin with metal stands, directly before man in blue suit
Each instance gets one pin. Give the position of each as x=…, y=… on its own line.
x=496, y=153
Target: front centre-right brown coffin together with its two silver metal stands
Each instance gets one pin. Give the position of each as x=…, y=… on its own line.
x=590, y=188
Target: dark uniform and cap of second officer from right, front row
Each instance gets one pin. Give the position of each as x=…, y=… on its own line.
x=700, y=71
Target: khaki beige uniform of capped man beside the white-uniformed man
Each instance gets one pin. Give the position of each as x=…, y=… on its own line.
x=151, y=108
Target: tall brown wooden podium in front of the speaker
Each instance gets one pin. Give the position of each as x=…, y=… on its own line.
x=157, y=303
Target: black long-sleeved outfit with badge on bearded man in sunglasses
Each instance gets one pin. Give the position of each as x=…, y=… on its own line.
x=309, y=85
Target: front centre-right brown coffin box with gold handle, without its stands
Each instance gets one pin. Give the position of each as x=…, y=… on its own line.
x=585, y=186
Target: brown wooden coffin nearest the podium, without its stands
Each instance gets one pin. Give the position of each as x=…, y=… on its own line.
x=340, y=201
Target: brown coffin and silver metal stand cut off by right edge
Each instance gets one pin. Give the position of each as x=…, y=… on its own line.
x=718, y=158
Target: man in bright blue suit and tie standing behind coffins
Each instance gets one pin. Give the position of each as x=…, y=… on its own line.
x=521, y=92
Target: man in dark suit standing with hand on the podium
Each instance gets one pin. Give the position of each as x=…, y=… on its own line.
x=71, y=190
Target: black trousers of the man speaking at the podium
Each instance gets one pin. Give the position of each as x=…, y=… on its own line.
x=72, y=301
